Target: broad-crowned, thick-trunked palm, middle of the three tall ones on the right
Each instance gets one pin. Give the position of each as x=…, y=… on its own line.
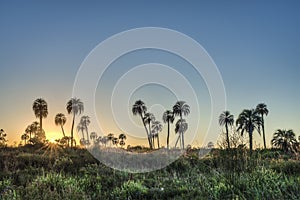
x=248, y=121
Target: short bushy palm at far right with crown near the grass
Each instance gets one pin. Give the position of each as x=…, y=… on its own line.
x=284, y=139
